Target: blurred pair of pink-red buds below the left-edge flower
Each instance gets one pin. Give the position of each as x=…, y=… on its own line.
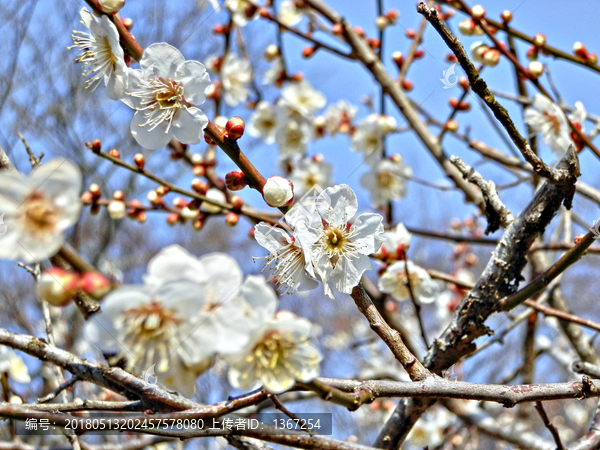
x=58, y=286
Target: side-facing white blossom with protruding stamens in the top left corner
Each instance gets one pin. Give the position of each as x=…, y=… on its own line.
x=101, y=55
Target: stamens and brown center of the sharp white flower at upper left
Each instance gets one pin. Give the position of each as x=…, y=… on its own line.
x=161, y=99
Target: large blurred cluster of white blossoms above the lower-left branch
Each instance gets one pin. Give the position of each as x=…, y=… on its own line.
x=190, y=310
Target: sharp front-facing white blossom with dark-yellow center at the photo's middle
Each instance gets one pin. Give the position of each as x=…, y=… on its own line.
x=340, y=252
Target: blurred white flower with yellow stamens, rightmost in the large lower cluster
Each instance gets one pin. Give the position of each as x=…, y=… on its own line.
x=278, y=355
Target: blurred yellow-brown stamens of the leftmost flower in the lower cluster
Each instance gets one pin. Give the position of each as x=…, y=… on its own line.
x=150, y=330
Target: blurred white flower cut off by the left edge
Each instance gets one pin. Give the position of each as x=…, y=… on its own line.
x=37, y=210
